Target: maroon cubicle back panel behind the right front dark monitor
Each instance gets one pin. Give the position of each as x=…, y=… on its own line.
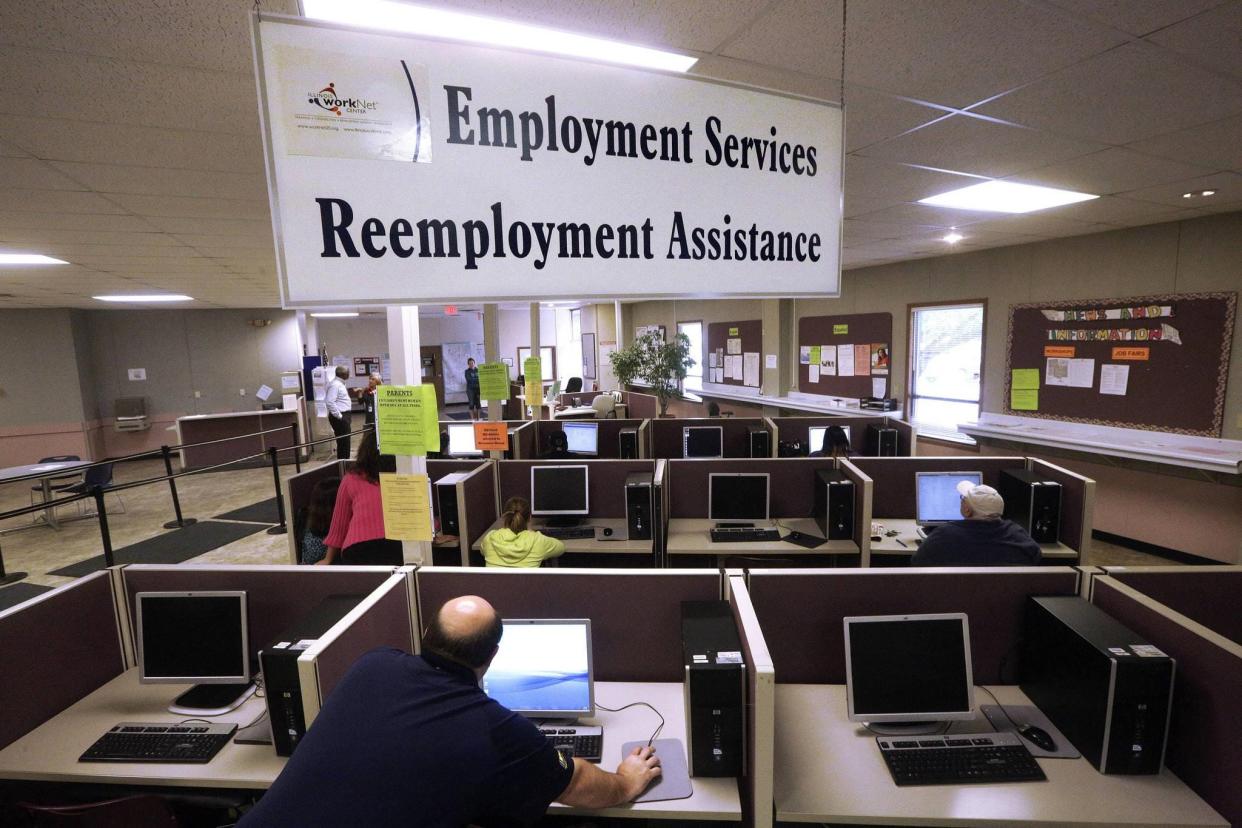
x=802, y=611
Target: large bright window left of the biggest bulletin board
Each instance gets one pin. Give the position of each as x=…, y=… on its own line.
x=947, y=363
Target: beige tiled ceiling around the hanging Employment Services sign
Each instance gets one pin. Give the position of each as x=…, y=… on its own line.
x=130, y=133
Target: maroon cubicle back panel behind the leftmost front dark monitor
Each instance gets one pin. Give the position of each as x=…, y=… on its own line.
x=278, y=596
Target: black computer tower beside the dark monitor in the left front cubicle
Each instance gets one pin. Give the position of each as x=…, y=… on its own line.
x=280, y=666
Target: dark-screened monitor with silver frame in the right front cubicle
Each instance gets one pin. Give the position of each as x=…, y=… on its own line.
x=909, y=668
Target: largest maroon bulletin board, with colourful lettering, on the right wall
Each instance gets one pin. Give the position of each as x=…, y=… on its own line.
x=1158, y=363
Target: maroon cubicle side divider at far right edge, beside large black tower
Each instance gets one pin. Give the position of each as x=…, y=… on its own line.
x=1205, y=728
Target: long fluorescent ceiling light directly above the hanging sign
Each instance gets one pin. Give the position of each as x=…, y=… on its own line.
x=492, y=32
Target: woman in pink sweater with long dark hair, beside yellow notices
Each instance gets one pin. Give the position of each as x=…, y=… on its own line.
x=357, y=533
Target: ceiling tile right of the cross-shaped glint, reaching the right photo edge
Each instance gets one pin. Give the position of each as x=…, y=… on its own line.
x=1123, y=96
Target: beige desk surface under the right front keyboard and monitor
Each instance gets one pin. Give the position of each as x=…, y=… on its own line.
x=830, y=770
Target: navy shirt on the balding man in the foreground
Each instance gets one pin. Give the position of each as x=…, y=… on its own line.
x=412, y=740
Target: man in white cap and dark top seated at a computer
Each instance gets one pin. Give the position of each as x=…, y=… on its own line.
x=984, y=538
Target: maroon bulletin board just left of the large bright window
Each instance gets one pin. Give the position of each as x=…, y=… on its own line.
x=846, y=357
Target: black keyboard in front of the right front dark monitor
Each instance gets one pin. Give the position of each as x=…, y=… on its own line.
x=957, y=760
